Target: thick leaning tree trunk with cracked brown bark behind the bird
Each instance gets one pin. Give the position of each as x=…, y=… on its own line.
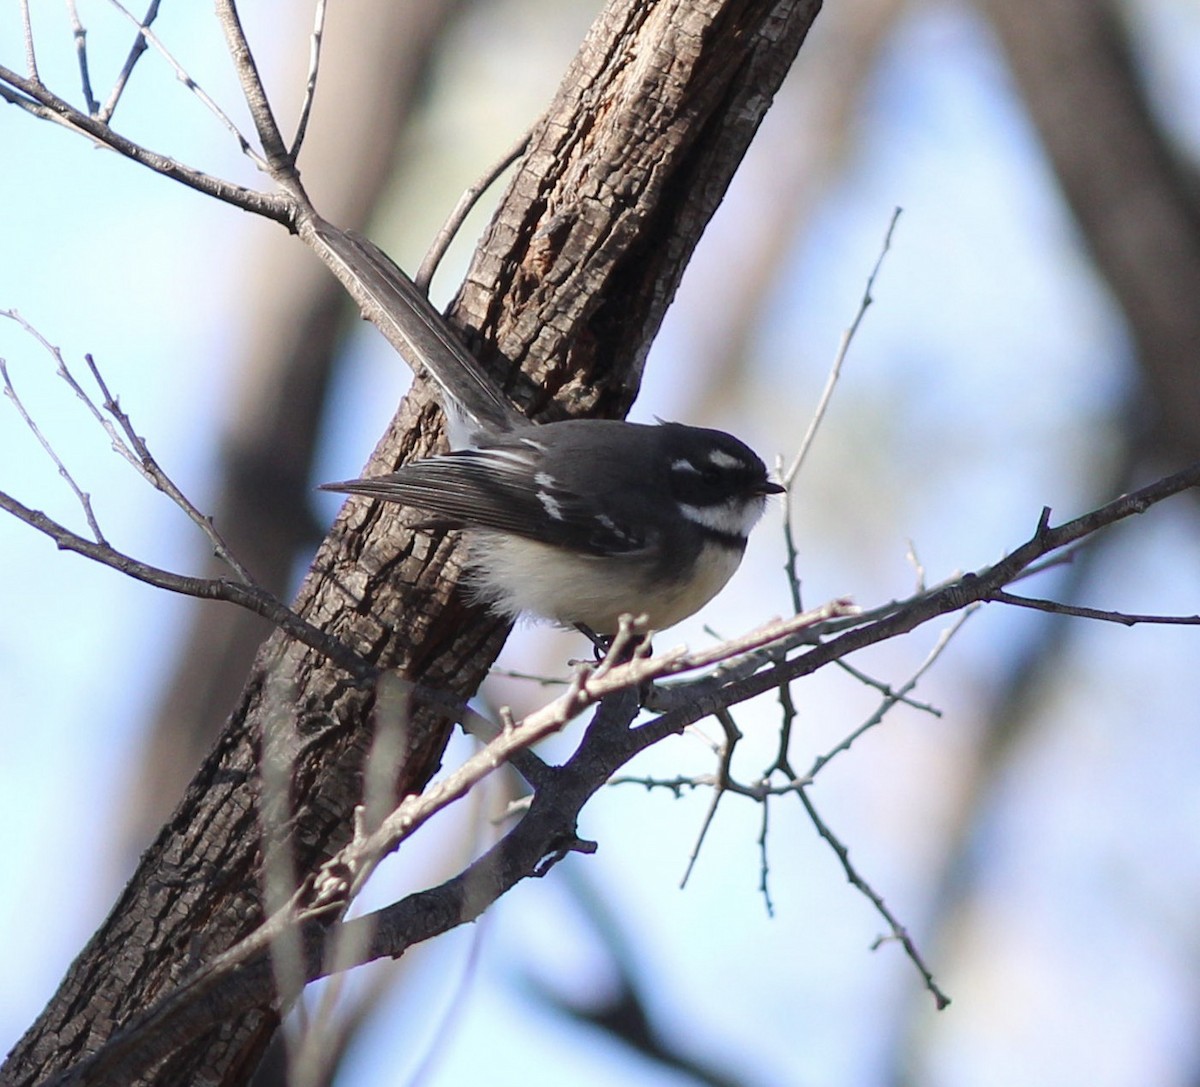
x=562, y=302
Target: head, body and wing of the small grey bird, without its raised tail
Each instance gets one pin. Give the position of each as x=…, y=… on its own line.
x=583, y=521
